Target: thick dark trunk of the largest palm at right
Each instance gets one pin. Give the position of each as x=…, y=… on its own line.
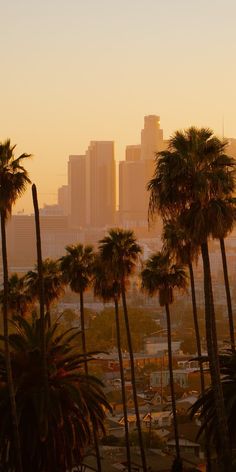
x=224, y=452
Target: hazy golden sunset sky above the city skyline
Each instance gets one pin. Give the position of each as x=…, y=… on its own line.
x=79, y=70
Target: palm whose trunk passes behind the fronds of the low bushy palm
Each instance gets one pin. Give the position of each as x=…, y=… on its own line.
x=77, y=269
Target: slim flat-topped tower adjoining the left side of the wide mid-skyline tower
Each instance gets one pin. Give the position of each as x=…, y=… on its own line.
x=76, y=191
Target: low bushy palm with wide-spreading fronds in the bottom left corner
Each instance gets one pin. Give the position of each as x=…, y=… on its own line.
x=55, y=431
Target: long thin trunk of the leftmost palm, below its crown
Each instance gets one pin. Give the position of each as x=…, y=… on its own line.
x=15, y=425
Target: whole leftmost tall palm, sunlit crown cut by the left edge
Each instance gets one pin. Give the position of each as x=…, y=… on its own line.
x=13, y=181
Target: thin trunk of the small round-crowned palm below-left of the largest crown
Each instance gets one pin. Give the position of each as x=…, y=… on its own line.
x=177, y=448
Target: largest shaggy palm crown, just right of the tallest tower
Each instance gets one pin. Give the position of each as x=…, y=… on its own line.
x=194, y=169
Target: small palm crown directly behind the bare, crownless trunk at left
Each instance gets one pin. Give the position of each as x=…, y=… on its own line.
x=52, y=280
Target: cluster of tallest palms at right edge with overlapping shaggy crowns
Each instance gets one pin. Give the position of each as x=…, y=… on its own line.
x=193, y=191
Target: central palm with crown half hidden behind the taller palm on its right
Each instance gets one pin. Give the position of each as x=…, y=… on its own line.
x=106, y=289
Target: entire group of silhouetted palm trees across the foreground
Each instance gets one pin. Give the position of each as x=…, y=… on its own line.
x=192, y=189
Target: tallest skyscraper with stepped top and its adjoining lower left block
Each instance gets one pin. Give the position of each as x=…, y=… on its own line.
x=135, y=173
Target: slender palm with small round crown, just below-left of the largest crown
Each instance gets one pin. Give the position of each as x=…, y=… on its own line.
x=161, y=276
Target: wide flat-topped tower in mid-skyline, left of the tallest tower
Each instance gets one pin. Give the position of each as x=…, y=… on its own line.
x=100, y=184
